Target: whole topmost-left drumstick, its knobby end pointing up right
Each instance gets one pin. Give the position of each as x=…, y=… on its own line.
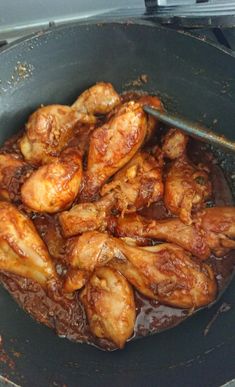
x=49, y=128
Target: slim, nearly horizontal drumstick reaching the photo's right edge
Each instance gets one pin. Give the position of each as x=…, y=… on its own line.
x=212, y=231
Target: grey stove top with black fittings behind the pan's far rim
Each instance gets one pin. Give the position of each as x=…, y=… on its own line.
x=32, y=16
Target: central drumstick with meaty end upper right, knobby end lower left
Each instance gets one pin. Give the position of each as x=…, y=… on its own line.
x=137, y=184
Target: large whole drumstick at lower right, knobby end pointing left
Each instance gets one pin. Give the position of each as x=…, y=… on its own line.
x=164, y=272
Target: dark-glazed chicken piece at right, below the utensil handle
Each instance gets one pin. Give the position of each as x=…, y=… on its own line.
x=186, y=187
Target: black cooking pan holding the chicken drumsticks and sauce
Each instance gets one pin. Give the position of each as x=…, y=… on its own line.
x=195, y=79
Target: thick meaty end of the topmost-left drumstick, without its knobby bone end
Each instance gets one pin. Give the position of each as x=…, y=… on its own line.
x=47, y=132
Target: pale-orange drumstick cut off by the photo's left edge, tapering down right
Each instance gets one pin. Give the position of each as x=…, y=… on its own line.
x=22, y=251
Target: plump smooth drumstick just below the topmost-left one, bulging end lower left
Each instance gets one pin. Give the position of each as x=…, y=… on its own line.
x=54, y=186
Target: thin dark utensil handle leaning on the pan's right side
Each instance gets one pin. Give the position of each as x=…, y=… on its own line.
x=192, y=128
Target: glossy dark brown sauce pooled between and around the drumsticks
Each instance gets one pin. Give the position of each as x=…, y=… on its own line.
x=66, y=315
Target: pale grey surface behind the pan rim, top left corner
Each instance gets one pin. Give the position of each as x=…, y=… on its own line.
x=18, y=17
